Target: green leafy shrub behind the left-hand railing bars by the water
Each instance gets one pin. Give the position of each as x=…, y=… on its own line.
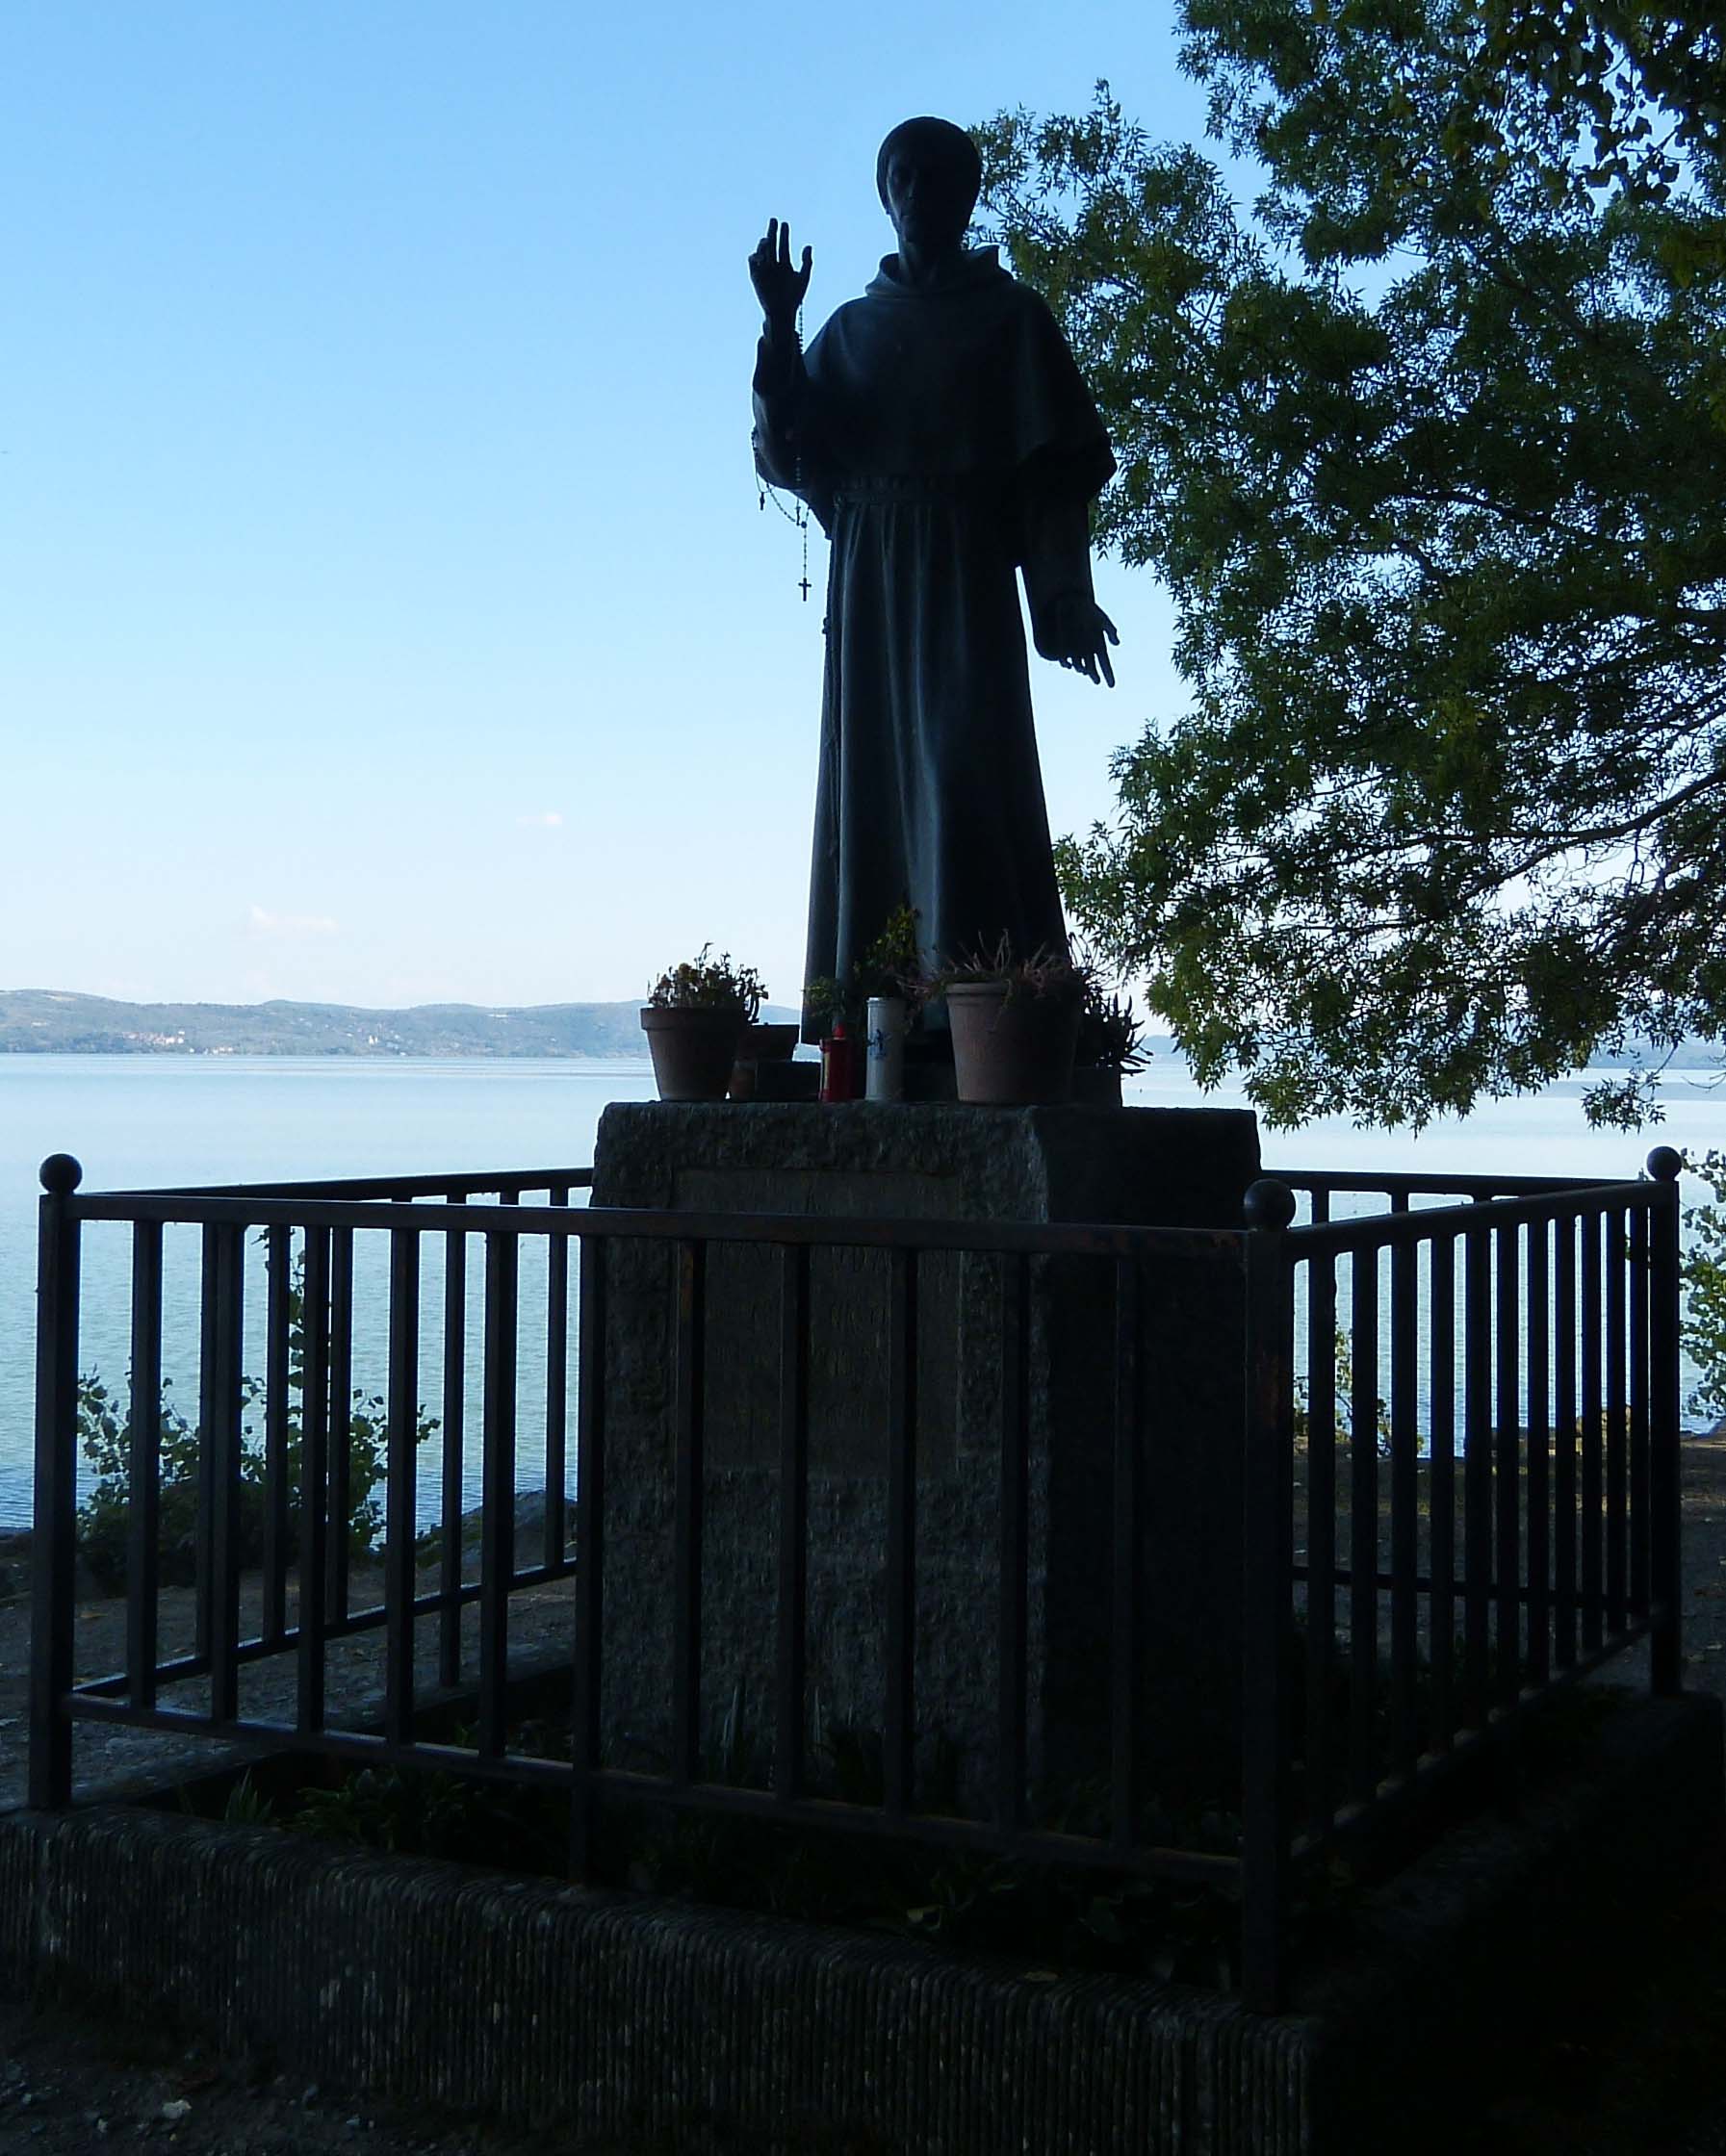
x=105, y=1433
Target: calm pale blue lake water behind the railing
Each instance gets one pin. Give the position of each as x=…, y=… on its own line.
x=143, y=1120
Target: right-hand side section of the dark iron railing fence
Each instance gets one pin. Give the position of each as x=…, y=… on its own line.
x=1485, y=1405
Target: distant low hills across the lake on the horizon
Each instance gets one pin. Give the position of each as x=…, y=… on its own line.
x=38, y=1021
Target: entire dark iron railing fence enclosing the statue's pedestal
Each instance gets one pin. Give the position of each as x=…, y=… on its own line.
x=1509, y=1525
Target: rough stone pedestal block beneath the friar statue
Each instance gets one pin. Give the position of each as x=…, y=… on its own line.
x=946, y=1163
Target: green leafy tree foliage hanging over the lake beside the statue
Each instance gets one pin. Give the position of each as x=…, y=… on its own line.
x=1432, y=452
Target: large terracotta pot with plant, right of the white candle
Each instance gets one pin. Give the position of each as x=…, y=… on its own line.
x=1015, y=1025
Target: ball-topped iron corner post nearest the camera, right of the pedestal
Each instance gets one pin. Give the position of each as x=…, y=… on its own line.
x=1268, y=1594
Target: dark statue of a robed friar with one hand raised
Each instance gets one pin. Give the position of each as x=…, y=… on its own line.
x=944, y=439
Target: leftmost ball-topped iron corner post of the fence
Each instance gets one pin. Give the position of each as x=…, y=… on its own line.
x=53, y=1551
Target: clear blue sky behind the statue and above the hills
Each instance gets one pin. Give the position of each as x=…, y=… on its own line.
x=385, y=609
